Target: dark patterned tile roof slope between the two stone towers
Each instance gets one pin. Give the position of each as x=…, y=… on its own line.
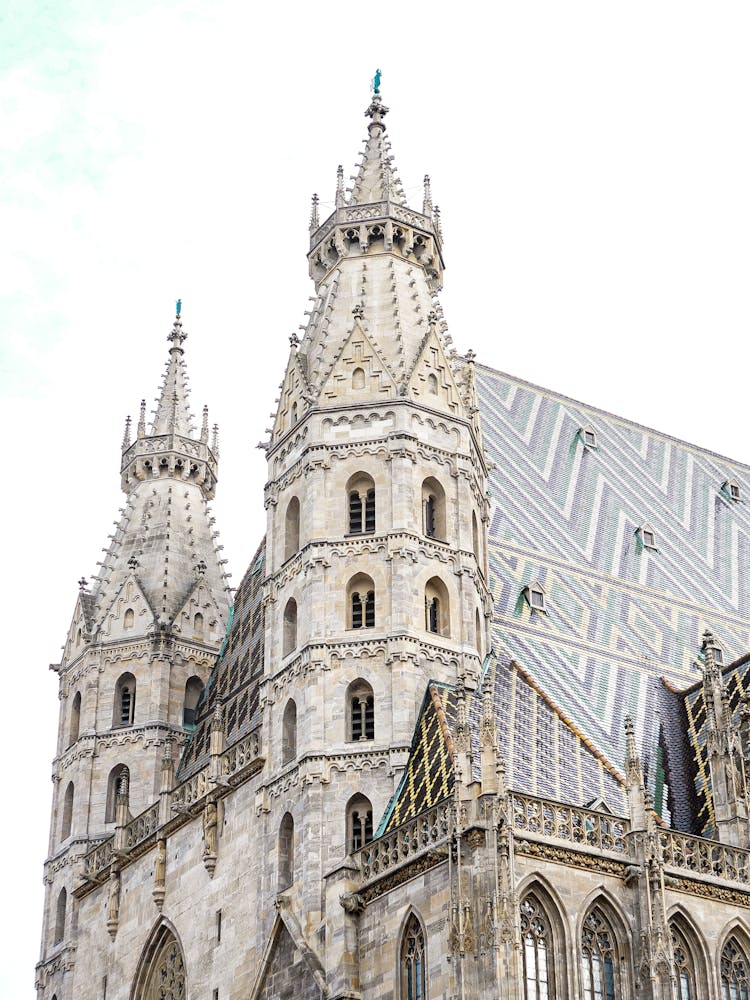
x=236, y=675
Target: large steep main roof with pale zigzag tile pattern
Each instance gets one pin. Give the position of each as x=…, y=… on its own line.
x=619, y=615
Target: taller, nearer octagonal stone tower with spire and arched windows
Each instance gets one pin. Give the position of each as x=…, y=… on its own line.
x=376, y=534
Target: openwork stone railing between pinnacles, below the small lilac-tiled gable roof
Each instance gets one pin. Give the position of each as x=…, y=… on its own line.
x=585, y=827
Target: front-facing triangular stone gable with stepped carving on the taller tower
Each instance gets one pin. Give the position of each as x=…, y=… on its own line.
x=359, y=372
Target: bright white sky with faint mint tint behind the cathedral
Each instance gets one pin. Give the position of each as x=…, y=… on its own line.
x=591, y=161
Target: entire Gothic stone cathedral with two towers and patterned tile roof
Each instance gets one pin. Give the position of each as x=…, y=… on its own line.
x=476, y=721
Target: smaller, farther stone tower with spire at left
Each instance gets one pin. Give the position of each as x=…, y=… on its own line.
x=142, y=641
